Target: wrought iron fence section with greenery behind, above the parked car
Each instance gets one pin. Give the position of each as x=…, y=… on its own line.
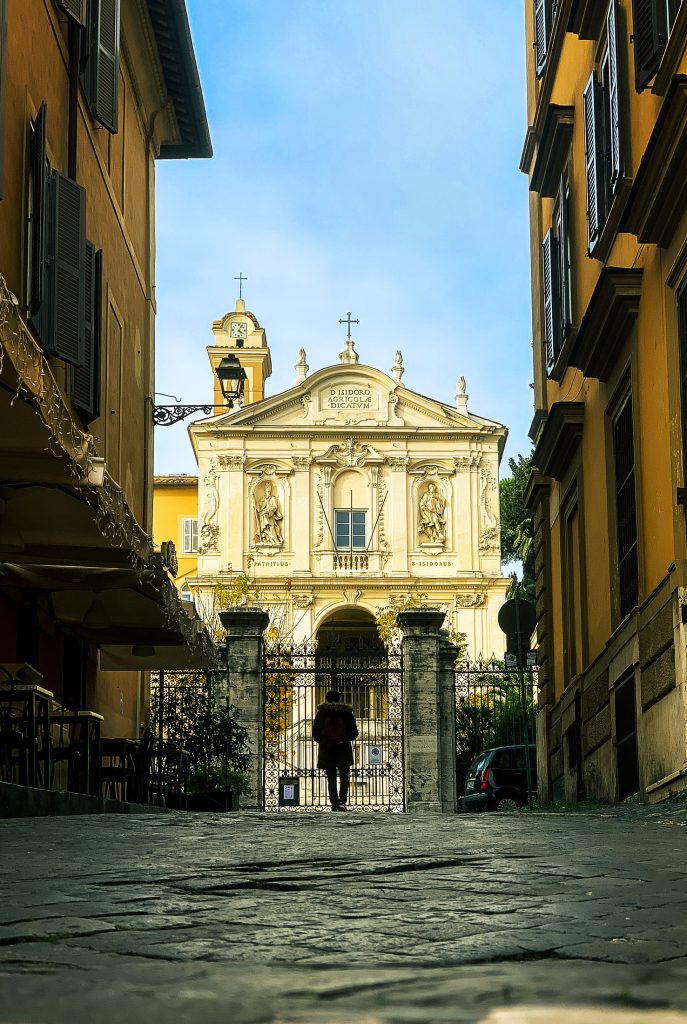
x=490, y=709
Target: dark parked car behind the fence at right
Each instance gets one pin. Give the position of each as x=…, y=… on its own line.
x=497, y=780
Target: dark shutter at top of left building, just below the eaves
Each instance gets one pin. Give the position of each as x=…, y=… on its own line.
x=102, y=66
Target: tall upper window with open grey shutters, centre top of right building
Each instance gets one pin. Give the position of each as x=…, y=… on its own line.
x=604, y=133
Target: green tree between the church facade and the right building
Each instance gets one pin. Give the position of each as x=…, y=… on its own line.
x=518, y=529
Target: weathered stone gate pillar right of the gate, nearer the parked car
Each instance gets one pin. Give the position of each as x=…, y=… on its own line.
x=430, y=713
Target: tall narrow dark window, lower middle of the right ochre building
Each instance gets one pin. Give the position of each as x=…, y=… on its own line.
x=626, y=506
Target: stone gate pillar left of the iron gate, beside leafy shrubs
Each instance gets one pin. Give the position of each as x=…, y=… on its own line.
x=244, y=629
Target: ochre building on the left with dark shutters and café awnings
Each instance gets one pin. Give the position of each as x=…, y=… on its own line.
x=92, y=96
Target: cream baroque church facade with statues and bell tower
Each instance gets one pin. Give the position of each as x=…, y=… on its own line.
x=348, y=495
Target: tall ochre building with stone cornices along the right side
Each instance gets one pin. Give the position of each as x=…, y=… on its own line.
x=607, y=157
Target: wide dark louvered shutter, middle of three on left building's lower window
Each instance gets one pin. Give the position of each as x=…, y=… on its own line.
x=68, y=251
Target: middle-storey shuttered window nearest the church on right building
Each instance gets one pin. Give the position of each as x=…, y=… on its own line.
x=556, y=277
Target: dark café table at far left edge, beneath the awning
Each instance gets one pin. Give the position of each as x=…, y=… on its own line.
x=27, y=706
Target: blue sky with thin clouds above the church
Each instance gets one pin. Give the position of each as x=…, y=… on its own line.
x=366, y=159
